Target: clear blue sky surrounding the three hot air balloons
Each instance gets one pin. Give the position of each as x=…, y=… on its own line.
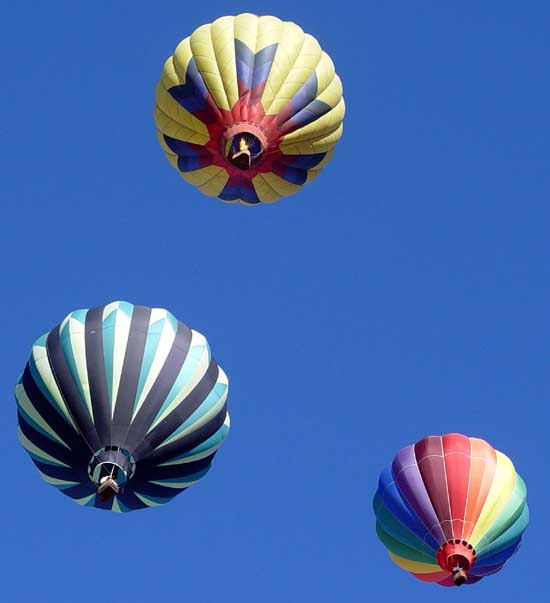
x=405, y=292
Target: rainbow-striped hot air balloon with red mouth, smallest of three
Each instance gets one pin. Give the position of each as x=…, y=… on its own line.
x=451, y=509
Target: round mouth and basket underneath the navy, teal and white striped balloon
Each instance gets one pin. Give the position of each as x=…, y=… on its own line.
x=110, y=469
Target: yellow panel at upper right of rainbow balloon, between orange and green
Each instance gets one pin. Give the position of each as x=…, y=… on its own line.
x=502, y=487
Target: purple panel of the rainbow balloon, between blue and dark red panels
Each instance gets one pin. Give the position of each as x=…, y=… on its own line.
x=409, y=481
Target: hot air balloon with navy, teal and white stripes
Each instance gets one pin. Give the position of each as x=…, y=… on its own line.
x=122, y=407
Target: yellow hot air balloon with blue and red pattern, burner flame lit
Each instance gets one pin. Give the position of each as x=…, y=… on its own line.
x=249, y=109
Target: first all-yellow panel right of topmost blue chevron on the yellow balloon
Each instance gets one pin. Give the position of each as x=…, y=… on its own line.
x=290, y=45
